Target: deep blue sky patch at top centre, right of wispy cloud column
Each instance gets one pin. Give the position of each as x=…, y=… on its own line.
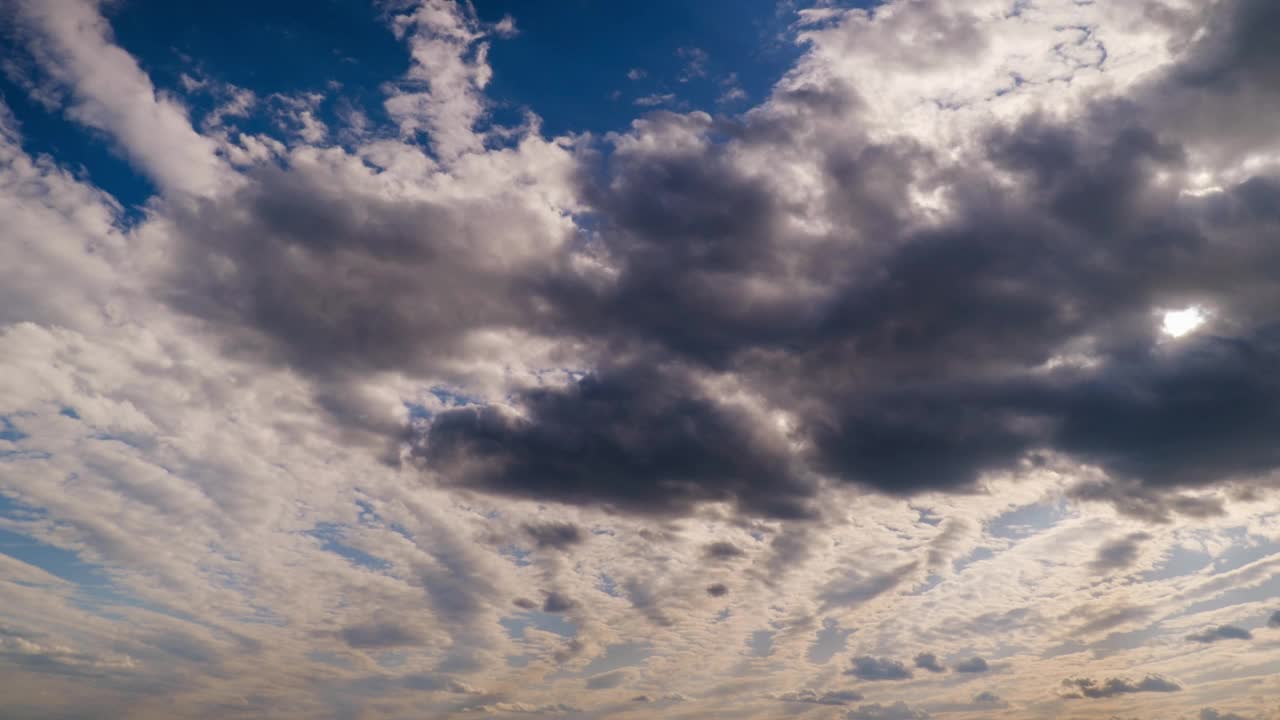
x=694, y=52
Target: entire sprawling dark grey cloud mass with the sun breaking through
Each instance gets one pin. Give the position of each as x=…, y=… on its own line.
x=911, y=359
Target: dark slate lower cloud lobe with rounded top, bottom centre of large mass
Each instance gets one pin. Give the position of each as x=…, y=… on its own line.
x=637, y=439
